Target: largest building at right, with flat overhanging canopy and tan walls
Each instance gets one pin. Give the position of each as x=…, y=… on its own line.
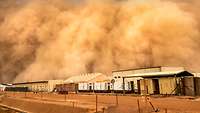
x=154, y=80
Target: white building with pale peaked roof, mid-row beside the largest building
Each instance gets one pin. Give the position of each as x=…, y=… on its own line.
x=90, y=82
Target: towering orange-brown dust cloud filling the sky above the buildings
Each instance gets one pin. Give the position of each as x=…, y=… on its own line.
x=55, y=39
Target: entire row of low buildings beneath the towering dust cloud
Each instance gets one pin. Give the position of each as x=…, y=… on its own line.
x=144, y=81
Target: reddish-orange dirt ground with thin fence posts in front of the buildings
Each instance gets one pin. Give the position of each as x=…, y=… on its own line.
x=86, y=103
